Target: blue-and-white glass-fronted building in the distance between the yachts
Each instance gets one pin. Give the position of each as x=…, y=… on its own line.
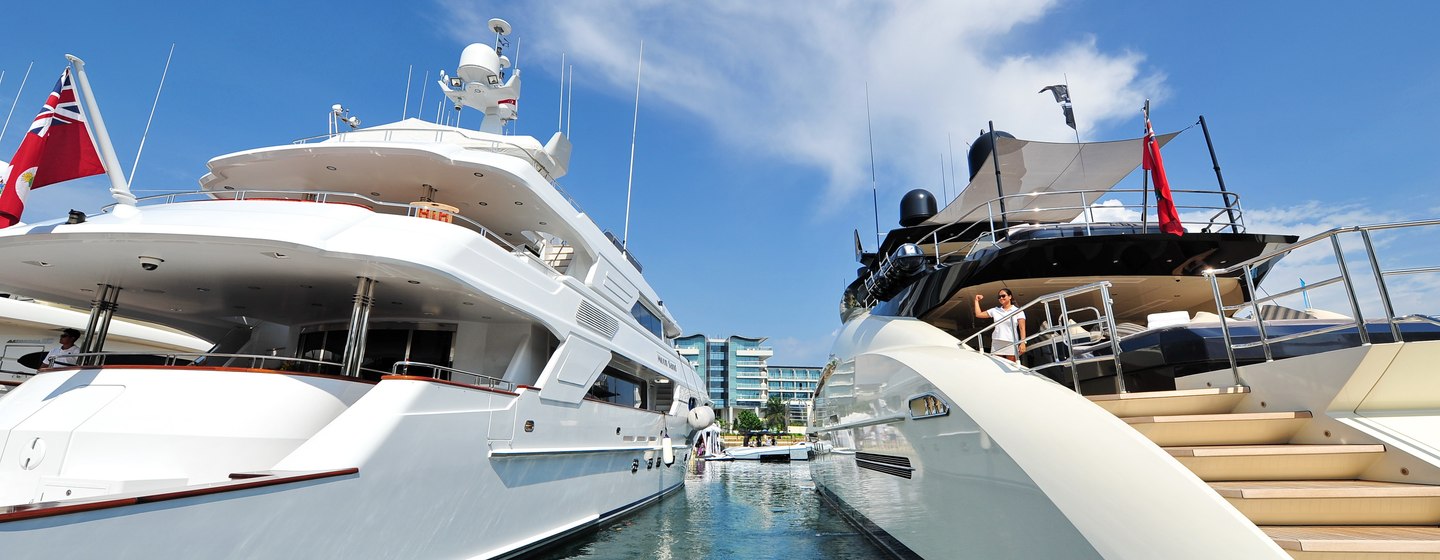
x=739, y=378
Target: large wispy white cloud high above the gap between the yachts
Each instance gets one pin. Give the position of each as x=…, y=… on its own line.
x=787, y=81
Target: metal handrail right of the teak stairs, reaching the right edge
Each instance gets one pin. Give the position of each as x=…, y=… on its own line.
x=1344, y=279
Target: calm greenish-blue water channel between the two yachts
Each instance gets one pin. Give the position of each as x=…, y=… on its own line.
x=731, y=510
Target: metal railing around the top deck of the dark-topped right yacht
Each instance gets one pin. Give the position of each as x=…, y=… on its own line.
x=1000, y=220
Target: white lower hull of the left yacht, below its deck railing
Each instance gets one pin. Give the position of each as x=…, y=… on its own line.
x=423, y=489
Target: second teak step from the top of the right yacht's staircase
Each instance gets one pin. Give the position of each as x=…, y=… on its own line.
x=1251, y=428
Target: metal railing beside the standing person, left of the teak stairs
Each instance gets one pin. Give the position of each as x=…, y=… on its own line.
x=1059, y=329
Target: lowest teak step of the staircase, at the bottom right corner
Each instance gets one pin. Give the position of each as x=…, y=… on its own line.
x=1409, y=543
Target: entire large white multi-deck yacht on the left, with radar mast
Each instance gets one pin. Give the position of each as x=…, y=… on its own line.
x=423, y=349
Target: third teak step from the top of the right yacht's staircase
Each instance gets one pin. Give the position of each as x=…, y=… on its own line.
x=1278, y=463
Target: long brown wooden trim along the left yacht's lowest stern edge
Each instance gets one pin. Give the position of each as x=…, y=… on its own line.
x=51, y=509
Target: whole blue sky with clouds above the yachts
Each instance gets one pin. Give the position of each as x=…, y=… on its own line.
x=752, y=165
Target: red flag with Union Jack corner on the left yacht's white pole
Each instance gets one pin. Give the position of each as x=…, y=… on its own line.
x=55, y=149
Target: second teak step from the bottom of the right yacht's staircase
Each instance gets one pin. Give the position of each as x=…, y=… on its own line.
x=1334, y=503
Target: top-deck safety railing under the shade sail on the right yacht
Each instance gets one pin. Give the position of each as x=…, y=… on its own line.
x=989, y=227
